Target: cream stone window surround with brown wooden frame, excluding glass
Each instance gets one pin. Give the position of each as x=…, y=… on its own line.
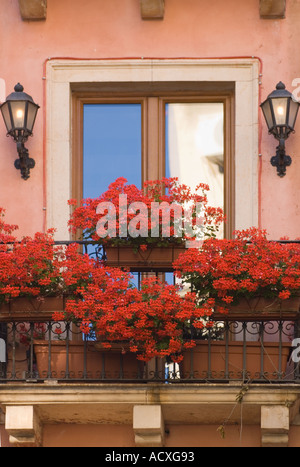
x=152, y=83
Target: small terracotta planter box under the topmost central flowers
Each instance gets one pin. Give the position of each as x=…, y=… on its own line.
x=154, y=258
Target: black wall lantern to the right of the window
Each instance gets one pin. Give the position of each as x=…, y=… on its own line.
x=280, y=110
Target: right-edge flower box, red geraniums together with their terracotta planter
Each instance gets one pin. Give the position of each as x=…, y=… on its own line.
x=226, y=271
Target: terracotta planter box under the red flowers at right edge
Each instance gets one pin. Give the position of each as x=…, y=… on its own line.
x=262, y=309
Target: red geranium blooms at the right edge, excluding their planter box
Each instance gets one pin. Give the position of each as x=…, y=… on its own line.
x=249, y=265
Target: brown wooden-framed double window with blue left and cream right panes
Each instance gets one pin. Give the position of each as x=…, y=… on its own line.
x=153, y=136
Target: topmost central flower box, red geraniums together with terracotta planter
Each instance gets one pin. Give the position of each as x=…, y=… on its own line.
x=149, y=222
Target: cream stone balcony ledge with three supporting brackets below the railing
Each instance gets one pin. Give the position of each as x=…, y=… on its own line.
x=147, y=408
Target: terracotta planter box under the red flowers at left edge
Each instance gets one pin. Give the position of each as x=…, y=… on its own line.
x=25, y=308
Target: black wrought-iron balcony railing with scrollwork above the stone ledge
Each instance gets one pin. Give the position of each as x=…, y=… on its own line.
x=260, y=352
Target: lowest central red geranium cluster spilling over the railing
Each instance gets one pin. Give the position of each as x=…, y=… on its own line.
x=151, y=319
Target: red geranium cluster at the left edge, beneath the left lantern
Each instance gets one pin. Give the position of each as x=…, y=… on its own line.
x=34, y=266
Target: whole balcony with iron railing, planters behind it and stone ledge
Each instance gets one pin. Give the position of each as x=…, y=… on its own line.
x=61, y=375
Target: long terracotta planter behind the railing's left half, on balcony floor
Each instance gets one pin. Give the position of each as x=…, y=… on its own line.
x=95, y=364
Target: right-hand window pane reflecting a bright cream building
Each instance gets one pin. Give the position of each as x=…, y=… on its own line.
x=195, y=146
